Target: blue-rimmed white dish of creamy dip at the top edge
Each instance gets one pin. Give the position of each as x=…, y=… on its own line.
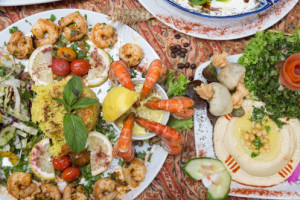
x=228, y=12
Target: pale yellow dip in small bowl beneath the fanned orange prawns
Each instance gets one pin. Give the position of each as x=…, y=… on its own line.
x=144, y=112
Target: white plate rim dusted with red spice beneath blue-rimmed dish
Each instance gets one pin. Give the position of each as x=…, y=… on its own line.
x=217, y=29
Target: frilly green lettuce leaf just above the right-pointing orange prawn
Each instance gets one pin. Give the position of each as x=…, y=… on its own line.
x=176, y=86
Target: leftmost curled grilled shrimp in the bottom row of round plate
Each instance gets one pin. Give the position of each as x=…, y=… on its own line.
x=19, y=185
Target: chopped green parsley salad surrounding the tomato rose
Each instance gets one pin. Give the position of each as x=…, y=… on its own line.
x=262, y=58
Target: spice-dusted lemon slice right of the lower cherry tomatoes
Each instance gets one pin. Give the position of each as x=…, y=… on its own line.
x=101, y=152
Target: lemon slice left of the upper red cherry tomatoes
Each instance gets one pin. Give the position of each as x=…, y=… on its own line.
x=38, y=65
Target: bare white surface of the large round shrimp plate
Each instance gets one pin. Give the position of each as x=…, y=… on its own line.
x=125, y=35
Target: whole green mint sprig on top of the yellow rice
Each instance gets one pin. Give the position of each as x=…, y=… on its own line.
x=74, y=129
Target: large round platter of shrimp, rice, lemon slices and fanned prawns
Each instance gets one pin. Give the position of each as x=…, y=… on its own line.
x=87, y=109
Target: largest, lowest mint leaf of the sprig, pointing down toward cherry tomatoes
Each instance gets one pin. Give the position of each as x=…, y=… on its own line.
x=75, y=132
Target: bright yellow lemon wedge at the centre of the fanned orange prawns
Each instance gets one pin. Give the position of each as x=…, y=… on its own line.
x=117, y=102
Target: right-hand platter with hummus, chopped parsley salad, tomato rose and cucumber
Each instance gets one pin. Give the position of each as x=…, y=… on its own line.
x=246, y=121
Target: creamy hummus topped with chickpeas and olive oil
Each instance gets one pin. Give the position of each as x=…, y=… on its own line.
x=249, y=163
